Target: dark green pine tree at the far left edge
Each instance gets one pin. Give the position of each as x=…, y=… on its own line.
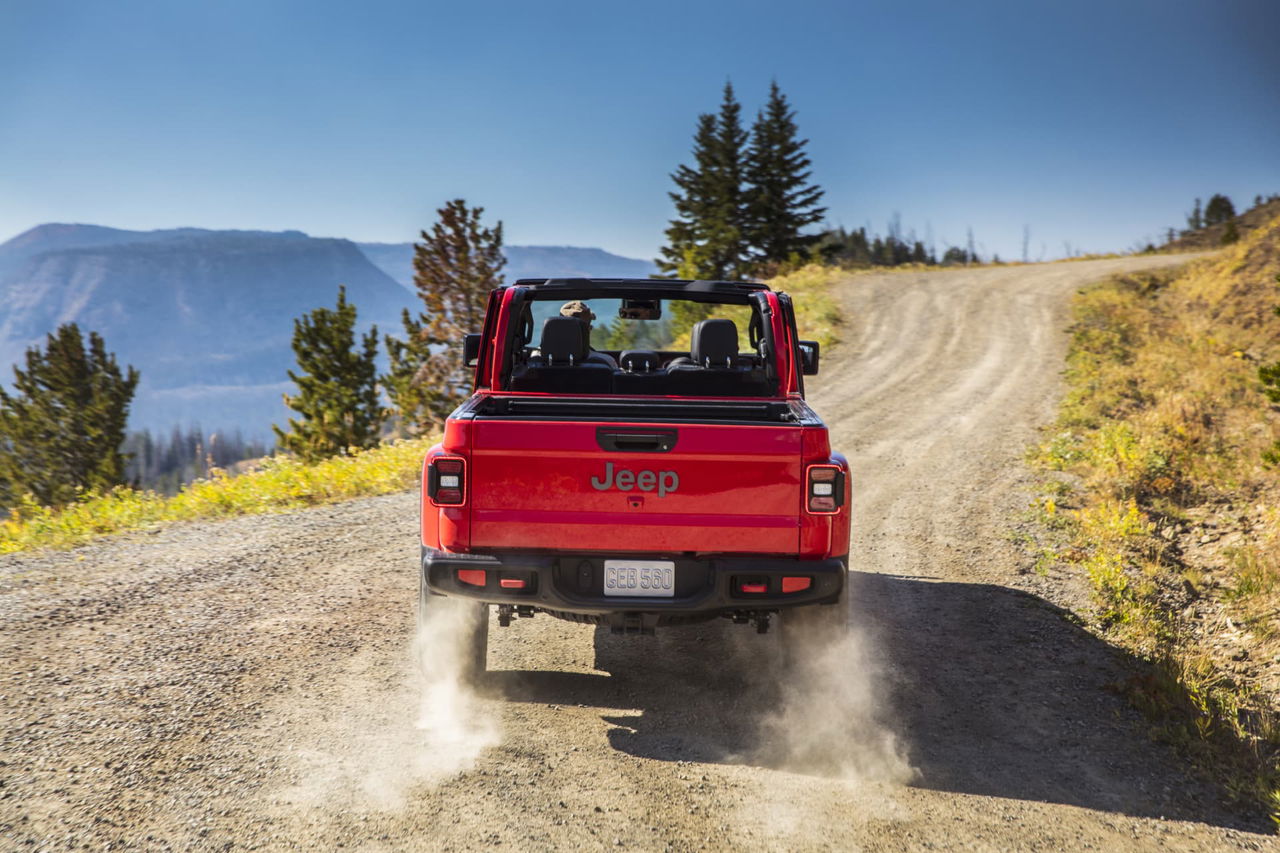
x=62, y=428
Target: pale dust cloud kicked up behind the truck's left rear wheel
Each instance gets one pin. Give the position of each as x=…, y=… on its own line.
x=377, y=747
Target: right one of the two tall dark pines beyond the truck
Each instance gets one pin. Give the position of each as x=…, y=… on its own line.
x=781, y=200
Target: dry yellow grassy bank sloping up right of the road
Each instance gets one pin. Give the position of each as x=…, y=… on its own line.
x=1174, y=519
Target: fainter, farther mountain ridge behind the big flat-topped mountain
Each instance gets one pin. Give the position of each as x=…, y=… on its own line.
x=523, y=262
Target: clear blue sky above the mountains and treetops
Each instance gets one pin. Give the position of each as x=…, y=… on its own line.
x=1094, y=122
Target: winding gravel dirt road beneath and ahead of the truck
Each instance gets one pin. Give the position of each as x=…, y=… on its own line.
x=252, y=683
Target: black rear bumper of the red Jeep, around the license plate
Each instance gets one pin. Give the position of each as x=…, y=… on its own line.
x=575, y=583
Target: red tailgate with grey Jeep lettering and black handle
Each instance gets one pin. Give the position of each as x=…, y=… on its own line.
x=636, y=489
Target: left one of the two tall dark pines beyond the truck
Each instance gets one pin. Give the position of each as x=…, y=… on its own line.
x=707, y=240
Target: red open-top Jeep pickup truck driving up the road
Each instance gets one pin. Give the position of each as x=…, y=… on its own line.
x=637, y=453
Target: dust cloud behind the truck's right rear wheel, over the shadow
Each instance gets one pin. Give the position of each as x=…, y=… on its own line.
x=831, y=715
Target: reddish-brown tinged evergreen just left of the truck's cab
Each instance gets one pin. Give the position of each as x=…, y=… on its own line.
x=456, y=267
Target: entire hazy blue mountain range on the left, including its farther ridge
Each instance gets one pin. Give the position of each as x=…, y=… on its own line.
x=208, y=316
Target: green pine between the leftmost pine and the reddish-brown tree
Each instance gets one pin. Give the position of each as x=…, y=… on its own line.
x=337, y=386
